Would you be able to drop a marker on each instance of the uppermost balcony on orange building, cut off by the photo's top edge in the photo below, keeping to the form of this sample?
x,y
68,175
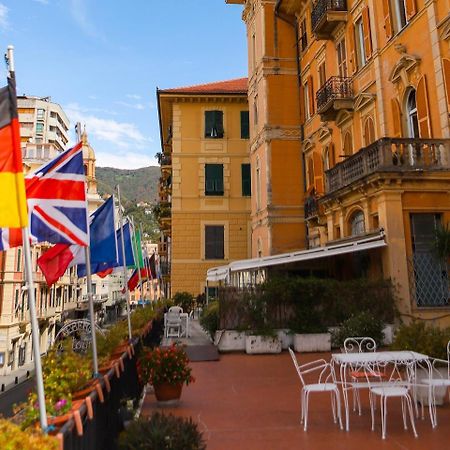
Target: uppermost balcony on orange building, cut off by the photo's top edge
x,y
326,16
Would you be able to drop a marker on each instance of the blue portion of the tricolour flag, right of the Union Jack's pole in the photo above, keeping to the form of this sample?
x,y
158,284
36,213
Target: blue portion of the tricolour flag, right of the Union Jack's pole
x,y
103,242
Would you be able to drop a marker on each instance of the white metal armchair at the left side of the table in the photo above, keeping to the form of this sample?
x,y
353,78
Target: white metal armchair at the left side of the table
x,y
325,382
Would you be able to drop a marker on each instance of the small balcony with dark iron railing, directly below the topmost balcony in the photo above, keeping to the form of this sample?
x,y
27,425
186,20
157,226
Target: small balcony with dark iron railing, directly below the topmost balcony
x,y
334,95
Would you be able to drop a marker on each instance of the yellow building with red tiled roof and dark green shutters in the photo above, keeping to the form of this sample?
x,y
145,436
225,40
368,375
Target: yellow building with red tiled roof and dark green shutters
x,y
205,186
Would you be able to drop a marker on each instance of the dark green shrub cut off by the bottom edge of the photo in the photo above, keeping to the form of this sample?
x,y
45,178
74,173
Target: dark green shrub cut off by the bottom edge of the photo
x,y
162,432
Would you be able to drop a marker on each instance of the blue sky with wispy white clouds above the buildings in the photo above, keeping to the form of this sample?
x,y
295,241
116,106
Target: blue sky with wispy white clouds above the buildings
x,y
102,60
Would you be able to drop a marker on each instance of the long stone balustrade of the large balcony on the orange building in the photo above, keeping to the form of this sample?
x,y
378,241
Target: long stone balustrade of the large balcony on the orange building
x,y
390,154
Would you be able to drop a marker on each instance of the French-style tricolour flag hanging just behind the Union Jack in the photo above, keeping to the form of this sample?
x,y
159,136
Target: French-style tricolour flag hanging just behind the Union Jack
x,y
103,248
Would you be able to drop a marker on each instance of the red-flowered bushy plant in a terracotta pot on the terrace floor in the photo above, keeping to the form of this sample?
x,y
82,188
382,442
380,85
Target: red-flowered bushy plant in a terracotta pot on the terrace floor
x,y
167,369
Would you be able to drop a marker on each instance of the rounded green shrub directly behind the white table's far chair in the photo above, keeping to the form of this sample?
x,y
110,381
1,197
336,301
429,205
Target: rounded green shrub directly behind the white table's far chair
x,y
364,324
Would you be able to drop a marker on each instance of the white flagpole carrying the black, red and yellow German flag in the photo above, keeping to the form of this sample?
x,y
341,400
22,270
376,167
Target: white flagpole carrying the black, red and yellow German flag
x,y
31,297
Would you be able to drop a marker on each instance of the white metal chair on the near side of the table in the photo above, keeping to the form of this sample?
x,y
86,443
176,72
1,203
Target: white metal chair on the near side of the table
x,y
391,385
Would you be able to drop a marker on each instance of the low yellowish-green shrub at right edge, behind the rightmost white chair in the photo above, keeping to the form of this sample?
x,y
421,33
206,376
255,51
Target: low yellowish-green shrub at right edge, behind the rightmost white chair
x,y
422,338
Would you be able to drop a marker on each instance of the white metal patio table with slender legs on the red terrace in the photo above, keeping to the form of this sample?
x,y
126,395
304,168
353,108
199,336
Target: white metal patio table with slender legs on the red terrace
x,y
349,360
